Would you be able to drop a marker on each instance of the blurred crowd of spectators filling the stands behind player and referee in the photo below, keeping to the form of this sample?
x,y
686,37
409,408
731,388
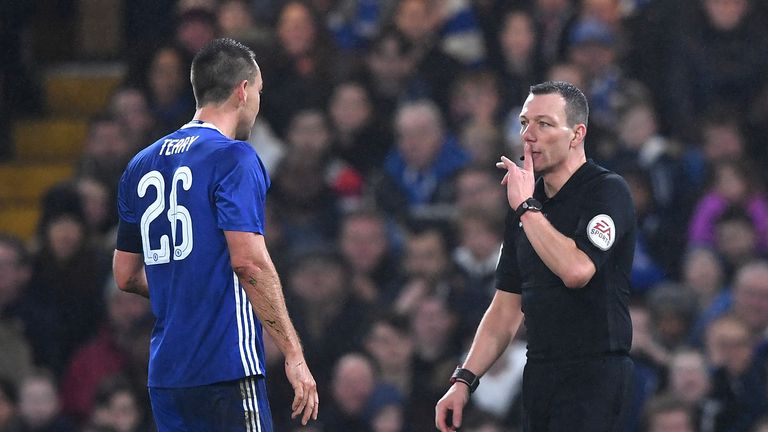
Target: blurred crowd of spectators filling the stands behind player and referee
x,y
380,125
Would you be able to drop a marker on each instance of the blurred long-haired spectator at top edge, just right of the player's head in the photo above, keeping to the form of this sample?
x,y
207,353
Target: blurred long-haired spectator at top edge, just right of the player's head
x,y
301,68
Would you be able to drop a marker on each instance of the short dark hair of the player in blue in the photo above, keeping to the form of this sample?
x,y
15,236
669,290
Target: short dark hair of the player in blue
x,y
219,67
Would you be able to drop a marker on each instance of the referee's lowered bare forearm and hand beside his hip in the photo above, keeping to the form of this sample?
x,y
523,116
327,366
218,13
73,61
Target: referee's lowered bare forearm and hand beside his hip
x,y
497,328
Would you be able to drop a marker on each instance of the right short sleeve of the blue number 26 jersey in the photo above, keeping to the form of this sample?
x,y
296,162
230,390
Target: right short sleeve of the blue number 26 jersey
x,y
241,189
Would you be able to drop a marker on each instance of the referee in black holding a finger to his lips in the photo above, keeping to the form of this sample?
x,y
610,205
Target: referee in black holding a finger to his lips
x,y
568,246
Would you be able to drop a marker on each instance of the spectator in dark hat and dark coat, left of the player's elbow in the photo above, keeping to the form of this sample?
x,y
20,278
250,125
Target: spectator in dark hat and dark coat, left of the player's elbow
x,y
68,277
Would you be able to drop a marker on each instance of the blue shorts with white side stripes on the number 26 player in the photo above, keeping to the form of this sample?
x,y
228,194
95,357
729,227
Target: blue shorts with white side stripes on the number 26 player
x,y
233,406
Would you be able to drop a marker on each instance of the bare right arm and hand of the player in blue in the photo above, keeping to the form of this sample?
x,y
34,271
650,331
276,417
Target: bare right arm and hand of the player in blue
x,y
258,276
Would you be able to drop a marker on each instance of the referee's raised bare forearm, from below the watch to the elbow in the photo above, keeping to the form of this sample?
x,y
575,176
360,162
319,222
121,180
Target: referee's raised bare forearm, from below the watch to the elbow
x,y
558,252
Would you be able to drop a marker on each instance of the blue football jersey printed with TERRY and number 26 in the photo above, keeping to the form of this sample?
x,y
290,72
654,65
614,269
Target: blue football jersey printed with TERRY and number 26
x,y
180,194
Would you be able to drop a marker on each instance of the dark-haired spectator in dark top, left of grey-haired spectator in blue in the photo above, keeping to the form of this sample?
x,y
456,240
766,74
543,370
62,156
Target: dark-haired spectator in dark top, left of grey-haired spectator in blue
x,y
359,138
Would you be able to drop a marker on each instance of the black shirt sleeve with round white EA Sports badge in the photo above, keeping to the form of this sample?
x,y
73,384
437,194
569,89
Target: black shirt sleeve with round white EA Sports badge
x,y
605,218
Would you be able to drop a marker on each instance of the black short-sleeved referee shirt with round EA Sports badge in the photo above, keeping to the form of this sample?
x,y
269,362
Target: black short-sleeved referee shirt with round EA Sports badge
x,y
595,209
